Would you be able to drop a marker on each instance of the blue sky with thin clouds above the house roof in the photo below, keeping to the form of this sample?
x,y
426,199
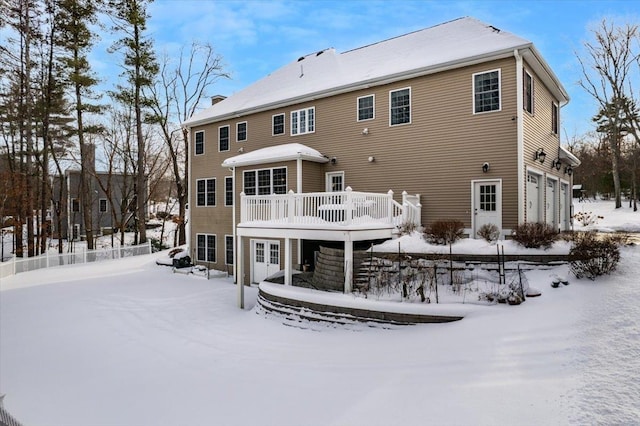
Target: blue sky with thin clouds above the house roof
x,y
258,37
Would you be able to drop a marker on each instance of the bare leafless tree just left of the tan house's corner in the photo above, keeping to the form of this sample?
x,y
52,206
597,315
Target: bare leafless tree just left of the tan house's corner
x,y
175,96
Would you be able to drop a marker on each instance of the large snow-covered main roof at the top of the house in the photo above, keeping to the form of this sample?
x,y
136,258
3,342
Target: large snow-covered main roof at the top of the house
x,y
449,45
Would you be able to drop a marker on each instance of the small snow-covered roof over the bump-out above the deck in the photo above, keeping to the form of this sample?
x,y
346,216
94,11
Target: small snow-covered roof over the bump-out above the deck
x,y
286,152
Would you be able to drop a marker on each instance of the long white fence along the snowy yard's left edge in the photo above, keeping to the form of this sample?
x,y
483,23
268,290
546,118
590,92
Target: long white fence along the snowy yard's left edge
x,y
47,260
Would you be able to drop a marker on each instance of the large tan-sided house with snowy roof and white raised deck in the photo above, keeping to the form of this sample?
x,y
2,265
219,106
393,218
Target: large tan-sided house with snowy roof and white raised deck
x,y
457,121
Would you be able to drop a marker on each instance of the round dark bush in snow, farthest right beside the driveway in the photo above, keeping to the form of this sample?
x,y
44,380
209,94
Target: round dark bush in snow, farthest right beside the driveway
x,y
591,256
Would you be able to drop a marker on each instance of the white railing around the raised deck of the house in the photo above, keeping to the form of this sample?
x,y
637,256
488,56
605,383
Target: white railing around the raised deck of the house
x,y
320,209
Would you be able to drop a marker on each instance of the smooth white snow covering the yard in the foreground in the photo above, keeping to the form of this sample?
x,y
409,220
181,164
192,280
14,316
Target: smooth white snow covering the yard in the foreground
x,y
128,343
